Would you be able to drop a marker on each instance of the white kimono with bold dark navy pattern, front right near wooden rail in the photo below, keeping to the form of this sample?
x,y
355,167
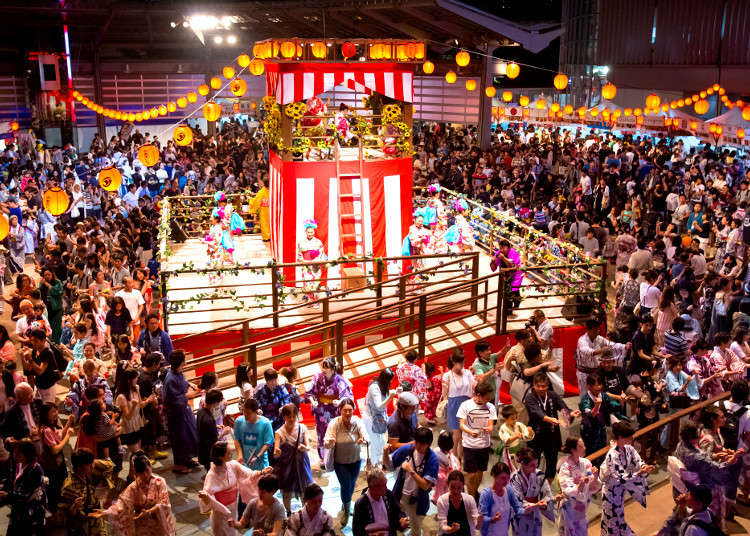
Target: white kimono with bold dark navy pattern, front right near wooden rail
x,y
618,474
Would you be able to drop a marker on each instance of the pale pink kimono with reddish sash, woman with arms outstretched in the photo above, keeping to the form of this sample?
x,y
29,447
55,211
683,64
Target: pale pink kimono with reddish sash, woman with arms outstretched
x,y
223,484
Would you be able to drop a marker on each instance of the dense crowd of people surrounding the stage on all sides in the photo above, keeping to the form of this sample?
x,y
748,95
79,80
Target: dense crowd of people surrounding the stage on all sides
x,y
430,441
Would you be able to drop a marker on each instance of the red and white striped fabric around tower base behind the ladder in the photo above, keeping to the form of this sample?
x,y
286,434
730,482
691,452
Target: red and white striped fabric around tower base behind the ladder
x,y
310,190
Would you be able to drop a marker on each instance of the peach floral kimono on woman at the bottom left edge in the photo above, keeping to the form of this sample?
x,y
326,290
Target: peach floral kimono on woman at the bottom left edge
x,y
121,515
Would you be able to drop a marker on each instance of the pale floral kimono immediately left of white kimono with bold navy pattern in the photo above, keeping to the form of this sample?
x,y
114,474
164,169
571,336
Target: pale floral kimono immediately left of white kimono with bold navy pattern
x,y
573,520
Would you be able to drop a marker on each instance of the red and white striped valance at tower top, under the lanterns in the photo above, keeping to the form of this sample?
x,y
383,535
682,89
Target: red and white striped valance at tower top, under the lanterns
x,y
301,81
